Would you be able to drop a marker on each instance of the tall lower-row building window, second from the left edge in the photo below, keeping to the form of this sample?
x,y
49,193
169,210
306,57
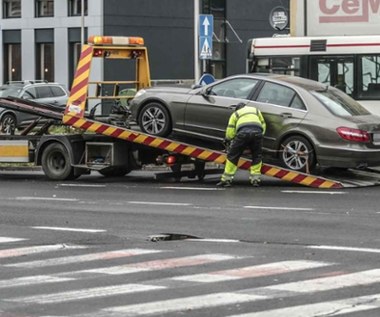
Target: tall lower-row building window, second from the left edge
x,y
45,61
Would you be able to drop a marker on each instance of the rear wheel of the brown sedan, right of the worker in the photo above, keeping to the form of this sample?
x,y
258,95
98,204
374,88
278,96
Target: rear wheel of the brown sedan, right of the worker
x,y
297,154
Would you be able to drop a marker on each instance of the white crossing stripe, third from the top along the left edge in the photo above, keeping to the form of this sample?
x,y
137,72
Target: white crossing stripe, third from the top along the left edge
x,y
82,258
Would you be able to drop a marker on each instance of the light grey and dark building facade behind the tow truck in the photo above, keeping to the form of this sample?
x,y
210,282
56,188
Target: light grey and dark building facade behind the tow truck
x,y
41,39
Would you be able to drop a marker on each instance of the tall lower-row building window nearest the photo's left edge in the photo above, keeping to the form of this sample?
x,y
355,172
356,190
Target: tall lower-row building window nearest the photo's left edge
x,y
12,62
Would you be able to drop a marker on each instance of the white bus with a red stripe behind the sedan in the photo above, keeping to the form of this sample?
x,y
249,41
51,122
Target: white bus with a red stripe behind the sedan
x,y
350,63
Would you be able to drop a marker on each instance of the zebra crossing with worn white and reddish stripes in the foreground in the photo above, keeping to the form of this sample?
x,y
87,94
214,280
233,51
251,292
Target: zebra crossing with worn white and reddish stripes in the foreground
x,y
114,283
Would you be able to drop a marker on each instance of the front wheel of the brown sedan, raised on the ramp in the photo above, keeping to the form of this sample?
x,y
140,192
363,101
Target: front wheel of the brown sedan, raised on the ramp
x,y
154,119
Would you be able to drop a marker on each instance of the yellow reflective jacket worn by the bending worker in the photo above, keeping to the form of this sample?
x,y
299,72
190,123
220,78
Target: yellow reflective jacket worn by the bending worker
x,y
246,116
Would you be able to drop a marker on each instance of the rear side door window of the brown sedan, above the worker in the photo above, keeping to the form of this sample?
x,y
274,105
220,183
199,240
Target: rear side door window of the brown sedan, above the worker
x,y
277,95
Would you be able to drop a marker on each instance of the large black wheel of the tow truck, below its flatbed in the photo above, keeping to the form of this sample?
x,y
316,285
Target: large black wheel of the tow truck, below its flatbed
x,y
56,162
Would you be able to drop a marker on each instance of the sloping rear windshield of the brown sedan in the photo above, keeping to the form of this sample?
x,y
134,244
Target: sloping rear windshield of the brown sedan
x,y
339,103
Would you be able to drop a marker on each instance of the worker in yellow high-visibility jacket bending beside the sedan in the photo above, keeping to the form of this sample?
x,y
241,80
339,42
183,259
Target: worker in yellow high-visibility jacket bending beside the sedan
x,y
245,129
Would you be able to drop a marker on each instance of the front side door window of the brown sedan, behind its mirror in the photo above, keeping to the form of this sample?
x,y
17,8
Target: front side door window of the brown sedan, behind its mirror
x,y
235,88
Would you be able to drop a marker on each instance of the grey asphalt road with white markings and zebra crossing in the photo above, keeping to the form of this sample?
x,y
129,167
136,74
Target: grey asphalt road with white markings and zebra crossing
x,y
133,246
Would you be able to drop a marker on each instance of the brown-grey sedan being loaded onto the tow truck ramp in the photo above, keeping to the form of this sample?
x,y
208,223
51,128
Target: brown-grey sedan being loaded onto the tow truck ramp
x,y
308,123
